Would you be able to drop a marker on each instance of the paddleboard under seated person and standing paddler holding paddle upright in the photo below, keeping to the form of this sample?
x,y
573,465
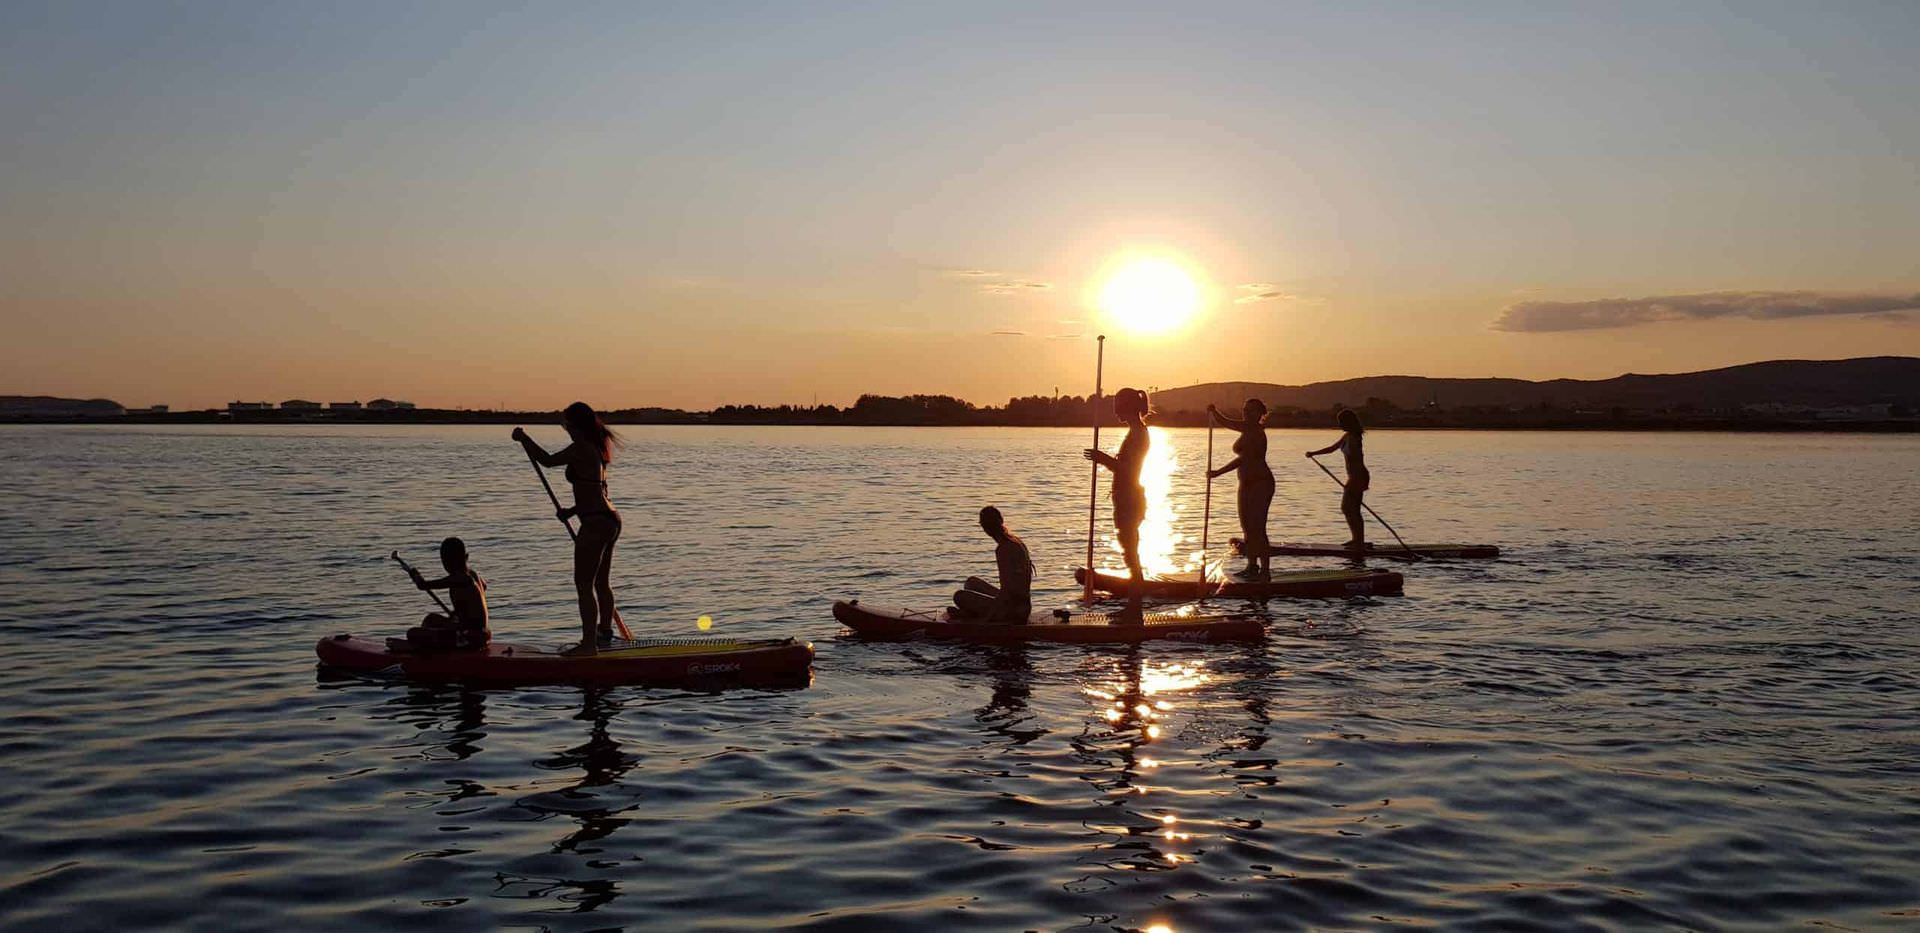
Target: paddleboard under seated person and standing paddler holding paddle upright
x,y
900,625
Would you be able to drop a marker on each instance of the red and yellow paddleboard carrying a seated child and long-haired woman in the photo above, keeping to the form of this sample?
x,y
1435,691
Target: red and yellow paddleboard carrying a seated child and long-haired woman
x,y
644,661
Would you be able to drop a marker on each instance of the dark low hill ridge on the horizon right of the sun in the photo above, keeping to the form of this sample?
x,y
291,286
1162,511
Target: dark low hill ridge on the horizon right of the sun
x,y
1788,383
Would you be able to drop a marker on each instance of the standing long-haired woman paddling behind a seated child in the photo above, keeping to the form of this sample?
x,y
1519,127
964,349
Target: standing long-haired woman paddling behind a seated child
x,y
600,523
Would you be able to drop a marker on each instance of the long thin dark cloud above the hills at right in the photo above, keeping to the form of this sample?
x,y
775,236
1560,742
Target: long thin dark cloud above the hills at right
x,y
1706,306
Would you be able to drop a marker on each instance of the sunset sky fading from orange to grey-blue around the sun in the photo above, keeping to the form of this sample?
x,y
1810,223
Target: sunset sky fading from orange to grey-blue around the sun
x,y
690,204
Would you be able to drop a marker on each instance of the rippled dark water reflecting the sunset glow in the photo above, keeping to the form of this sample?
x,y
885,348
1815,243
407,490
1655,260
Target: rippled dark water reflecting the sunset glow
x,y
1689,698
